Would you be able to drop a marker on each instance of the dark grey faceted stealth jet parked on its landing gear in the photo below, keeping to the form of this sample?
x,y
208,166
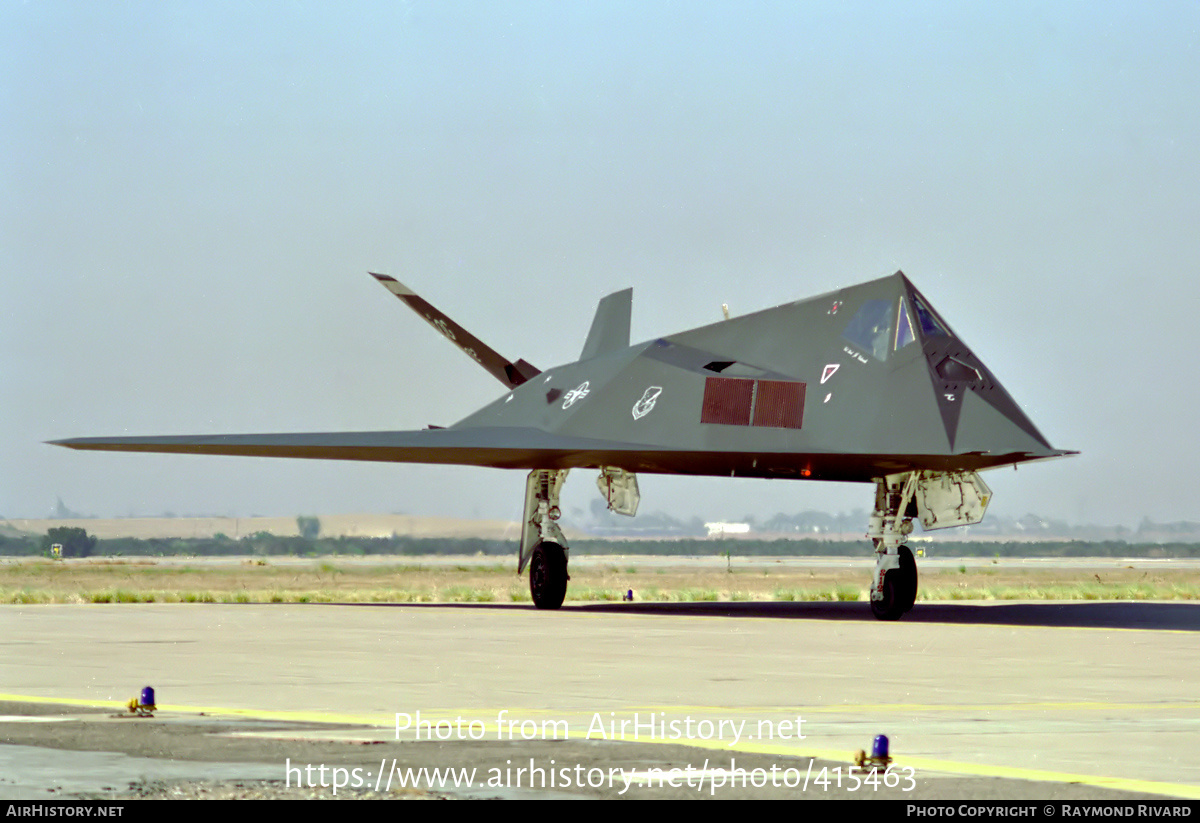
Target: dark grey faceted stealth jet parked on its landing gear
x,y
866,385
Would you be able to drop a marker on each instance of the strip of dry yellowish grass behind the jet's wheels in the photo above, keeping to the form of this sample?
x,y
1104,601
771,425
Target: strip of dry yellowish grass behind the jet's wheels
x,y
476,580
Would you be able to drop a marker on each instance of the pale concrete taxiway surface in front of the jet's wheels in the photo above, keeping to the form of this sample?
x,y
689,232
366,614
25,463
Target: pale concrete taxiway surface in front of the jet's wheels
x,y
977,699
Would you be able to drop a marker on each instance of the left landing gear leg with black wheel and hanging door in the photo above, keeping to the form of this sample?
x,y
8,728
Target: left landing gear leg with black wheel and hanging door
x,y
543,544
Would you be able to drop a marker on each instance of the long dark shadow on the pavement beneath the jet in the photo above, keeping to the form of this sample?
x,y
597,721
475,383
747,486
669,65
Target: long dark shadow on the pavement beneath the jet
x,y
1123,615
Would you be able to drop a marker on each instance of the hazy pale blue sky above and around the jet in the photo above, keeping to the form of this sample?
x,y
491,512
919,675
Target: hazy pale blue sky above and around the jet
x,y
193,194
